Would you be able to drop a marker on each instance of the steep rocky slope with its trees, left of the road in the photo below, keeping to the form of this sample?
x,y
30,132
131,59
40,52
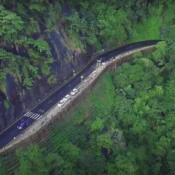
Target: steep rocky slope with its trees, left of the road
x,y
37,68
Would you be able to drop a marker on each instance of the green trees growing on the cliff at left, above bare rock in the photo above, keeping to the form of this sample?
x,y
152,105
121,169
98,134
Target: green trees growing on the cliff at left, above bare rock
x,y
16,38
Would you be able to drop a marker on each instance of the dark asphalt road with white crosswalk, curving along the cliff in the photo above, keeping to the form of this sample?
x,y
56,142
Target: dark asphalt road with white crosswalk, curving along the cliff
x,y
37,112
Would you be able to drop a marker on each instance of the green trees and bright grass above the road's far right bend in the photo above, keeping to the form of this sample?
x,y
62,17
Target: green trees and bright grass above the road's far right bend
x,y
119,22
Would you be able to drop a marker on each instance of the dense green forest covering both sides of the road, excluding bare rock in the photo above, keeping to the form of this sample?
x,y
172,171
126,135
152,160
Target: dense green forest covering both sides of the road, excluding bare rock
x,y
130,113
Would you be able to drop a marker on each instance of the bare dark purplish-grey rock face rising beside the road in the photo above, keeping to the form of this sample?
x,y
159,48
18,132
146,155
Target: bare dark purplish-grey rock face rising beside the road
x,y
68,60
